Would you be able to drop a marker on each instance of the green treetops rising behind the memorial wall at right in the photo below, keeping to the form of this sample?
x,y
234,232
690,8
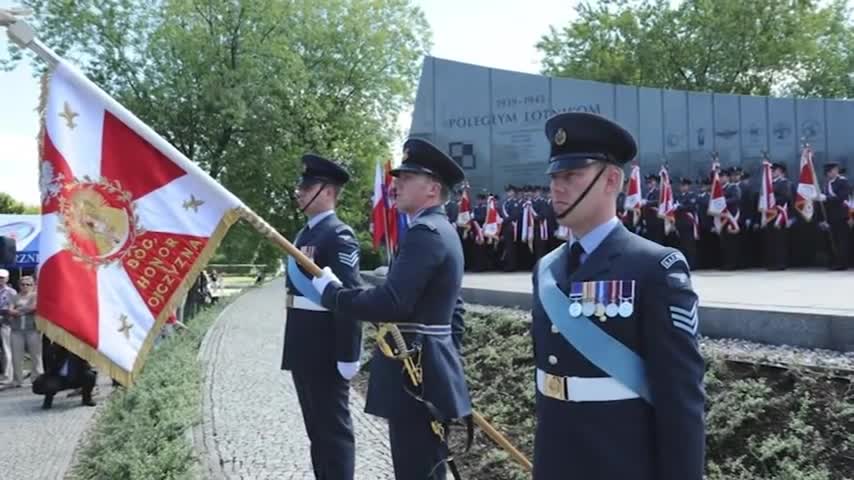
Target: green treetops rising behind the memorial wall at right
x,y
730,46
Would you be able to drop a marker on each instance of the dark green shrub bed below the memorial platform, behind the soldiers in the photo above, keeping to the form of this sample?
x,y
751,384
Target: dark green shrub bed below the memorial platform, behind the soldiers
x,y
761,424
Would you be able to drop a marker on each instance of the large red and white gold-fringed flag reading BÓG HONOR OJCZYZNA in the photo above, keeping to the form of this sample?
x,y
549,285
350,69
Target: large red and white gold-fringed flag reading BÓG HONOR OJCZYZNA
x,y
128,222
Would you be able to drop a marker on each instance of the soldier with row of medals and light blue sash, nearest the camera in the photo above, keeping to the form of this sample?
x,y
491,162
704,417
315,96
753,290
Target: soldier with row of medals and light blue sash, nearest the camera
x,y
618,369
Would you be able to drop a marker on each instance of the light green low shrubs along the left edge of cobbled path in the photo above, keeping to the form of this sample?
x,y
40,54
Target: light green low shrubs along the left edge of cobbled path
x,y
142,433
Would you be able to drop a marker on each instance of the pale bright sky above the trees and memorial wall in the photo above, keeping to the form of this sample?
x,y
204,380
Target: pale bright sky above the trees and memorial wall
x,y
493,33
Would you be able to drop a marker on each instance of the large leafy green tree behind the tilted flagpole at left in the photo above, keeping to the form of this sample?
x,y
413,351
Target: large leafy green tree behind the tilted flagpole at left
x,y
244,88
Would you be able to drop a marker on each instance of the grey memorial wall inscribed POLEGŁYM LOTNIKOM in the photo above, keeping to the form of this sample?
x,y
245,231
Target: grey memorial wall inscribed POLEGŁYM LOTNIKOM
x,y
491,121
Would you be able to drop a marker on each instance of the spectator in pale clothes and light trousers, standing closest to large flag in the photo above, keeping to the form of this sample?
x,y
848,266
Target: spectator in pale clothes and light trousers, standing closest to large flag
x,y
24,336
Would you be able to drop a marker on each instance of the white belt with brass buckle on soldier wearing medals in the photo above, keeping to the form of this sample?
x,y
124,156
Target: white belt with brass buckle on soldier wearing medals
x,y
582,389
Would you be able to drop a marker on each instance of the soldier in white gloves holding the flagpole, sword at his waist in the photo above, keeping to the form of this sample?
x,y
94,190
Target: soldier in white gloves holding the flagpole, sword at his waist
x,y
421,296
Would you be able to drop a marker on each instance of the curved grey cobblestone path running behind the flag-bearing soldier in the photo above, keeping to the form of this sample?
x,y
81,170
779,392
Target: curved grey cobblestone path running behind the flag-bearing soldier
x,y
252,426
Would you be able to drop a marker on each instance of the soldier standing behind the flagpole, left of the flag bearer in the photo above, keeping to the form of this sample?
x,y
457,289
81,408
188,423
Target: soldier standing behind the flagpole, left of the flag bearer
x,y
321,348
